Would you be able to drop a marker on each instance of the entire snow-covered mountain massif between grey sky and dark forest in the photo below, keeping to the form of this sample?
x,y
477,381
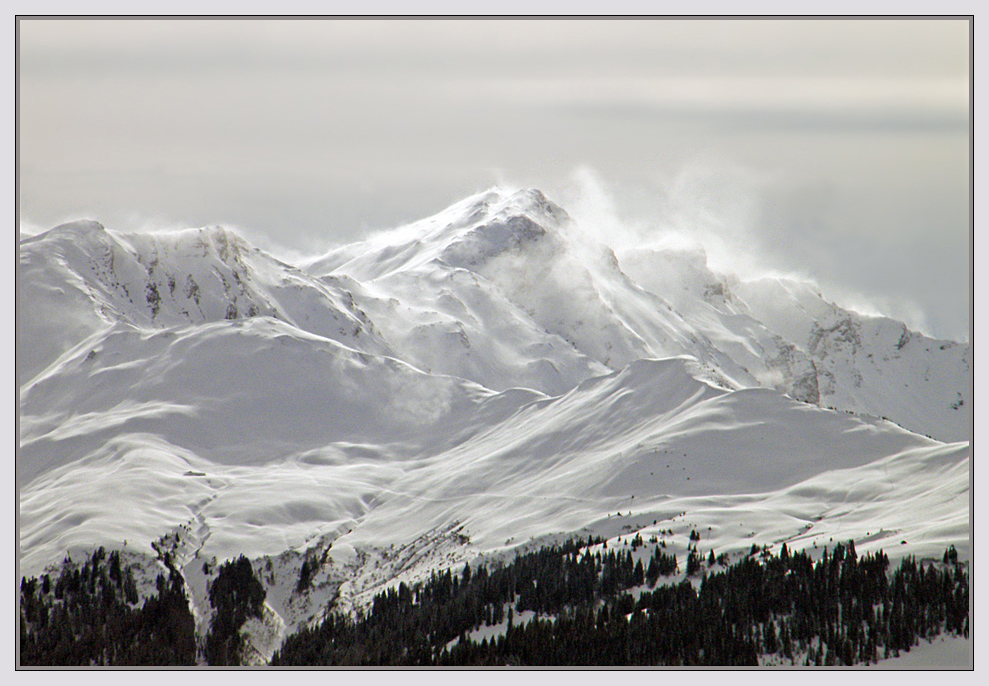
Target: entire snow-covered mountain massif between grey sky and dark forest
x,y
486,378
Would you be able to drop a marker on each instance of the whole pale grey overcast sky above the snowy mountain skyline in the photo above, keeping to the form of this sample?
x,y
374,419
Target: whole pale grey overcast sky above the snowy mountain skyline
x,y
837,150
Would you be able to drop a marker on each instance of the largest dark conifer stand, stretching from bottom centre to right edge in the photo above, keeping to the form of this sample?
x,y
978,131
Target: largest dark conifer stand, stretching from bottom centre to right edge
x,y
841,610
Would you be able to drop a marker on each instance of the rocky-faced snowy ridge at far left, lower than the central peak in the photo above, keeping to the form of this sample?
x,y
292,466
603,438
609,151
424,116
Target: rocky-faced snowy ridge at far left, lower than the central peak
x,y
79,278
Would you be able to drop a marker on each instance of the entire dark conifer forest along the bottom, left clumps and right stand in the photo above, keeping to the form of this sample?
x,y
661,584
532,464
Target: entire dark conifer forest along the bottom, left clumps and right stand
x,y
589,606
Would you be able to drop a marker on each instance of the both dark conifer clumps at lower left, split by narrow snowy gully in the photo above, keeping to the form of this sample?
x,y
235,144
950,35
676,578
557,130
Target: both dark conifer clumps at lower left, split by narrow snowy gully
x,y
90,616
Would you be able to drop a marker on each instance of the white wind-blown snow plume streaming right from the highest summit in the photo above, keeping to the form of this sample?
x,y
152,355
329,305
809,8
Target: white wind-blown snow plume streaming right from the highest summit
x,y
745,221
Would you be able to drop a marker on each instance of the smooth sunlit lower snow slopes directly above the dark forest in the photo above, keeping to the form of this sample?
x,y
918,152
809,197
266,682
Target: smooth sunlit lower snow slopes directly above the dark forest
x,y
677,451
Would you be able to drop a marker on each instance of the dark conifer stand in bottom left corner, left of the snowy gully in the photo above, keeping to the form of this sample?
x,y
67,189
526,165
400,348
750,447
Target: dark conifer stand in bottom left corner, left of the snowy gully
x,y
89,616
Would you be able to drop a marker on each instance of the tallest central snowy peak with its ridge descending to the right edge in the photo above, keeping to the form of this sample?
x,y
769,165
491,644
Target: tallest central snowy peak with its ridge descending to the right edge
x,y
643,303
